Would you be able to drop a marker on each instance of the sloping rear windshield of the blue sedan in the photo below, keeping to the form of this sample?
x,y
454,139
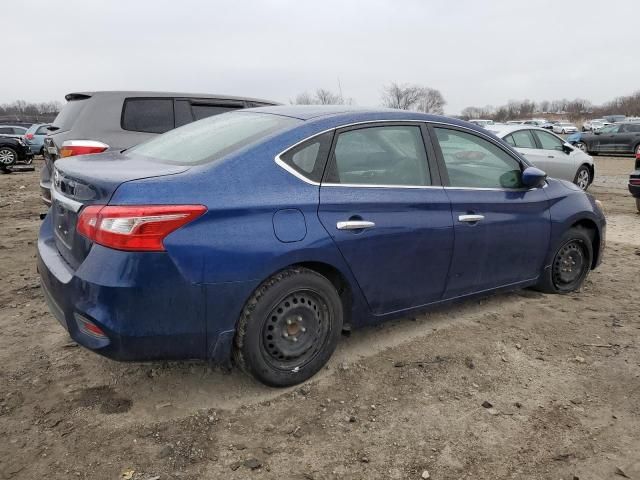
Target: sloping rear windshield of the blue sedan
x,y
213,137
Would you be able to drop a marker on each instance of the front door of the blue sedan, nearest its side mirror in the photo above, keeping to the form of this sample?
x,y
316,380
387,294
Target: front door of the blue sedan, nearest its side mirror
x,y
502,229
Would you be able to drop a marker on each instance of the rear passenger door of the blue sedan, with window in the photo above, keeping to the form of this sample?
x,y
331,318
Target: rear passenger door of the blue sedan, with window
x,y
382,203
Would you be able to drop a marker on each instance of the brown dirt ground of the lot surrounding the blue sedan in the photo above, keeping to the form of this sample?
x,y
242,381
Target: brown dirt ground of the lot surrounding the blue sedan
x,y
562,374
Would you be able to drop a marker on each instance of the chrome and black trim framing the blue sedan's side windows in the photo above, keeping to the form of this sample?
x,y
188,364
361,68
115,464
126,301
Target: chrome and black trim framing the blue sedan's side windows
x,y
439,178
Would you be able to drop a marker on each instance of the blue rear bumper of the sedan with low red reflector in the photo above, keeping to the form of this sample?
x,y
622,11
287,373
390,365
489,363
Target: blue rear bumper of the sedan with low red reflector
x,y
141,302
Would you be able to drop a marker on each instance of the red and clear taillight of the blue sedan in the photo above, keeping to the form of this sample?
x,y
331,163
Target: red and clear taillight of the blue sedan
x,y
134,228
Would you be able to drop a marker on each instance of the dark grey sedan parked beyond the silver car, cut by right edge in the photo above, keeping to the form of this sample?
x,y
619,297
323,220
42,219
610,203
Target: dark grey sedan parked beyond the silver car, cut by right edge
x,y
616,138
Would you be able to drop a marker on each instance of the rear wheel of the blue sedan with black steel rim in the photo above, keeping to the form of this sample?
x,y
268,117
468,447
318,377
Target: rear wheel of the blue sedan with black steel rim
x,y
289,328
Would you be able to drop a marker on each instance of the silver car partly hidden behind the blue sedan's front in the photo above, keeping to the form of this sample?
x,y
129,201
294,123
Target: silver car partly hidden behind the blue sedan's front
x,y
549,152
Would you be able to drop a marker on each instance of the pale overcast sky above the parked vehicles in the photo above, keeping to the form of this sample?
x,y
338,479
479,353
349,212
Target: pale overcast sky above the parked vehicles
x,y
474,52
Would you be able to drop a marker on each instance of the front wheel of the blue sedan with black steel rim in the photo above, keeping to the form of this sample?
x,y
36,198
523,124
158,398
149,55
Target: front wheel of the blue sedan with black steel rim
x,y
570,264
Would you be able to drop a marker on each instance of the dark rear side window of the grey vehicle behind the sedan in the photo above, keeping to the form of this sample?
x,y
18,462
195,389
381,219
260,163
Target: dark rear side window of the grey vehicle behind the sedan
x,y
151,115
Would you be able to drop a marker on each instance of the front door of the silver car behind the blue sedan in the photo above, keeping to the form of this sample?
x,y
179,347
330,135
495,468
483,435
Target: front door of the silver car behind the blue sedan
x,y
559,159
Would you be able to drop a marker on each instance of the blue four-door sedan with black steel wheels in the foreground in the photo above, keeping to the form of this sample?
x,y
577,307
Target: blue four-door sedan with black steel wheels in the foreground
x,y
257,236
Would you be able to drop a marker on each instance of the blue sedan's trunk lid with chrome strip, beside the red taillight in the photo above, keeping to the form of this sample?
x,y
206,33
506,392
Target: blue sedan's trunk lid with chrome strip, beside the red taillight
x,y
92,179
